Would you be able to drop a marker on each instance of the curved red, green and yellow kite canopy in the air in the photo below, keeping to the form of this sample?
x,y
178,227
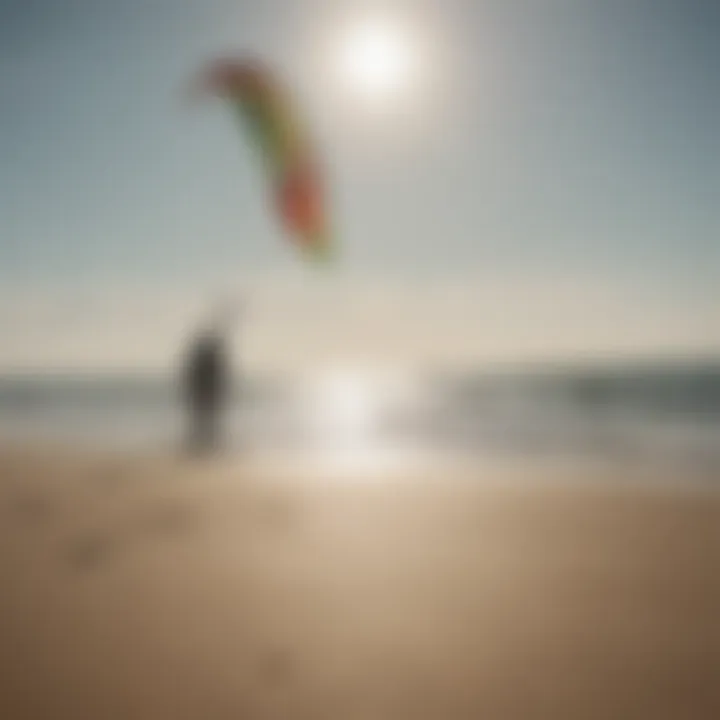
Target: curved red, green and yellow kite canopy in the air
x,y
266,111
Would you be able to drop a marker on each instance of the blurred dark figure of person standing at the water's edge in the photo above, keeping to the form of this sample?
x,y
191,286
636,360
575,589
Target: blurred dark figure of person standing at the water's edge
x,y
206,378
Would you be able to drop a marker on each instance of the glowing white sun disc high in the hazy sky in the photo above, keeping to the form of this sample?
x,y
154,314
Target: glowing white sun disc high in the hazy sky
x,y
376,60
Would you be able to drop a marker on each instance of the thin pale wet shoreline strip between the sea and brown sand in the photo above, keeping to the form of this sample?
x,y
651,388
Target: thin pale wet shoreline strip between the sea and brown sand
x,y
323,467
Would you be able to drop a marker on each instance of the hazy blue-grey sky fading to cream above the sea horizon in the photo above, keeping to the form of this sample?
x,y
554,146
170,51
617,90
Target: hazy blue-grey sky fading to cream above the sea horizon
x,y
547,186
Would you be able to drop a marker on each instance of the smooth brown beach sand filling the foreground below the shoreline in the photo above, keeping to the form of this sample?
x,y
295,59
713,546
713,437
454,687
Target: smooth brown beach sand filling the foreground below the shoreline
x,y
152,588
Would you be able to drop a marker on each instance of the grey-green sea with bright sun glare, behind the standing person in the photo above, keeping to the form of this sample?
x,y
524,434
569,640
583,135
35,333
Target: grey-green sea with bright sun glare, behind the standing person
x,y
666,413
